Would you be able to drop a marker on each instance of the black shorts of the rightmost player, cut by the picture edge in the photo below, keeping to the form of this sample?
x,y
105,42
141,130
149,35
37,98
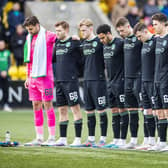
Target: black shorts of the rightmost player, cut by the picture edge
x,y
161,95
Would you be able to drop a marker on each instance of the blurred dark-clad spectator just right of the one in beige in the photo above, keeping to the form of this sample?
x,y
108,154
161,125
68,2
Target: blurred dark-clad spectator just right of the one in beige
x,y
133,16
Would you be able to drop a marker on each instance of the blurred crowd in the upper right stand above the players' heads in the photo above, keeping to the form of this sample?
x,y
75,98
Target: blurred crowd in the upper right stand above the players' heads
x,y
134,10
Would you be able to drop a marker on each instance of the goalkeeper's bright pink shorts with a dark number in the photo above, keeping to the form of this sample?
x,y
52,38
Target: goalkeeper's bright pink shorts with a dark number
x,y
41,89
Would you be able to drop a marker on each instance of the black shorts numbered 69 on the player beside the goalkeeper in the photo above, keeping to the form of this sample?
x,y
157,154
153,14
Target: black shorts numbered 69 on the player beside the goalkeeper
x,y
67,93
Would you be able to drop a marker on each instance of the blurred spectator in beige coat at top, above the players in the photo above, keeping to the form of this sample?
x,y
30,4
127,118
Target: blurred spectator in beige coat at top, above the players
x,y
120,9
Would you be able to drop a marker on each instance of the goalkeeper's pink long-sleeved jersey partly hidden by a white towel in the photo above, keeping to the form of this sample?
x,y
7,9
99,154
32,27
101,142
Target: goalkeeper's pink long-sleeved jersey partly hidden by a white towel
x,y
50,40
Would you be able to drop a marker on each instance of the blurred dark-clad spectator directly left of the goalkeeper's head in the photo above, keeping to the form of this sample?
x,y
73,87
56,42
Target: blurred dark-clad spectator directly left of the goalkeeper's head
x,y
17,44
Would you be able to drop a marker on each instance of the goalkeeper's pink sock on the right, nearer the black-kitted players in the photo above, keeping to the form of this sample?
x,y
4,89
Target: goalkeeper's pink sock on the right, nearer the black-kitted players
x,y
51,121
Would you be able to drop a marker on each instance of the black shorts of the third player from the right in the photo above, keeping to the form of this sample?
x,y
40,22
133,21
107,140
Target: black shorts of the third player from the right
x,y
132,90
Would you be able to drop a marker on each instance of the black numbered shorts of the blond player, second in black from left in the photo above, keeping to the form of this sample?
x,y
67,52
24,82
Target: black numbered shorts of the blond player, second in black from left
x,y
95,95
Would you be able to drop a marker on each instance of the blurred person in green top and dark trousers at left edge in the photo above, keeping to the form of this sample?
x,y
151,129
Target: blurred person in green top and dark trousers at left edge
x,y
4,66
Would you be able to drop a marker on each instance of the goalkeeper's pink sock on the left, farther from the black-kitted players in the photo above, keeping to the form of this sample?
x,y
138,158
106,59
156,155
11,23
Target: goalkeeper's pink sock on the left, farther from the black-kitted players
x,y
38,119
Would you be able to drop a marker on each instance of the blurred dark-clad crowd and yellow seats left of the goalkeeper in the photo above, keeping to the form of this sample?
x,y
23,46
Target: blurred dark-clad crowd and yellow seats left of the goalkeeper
x,y
12,36
